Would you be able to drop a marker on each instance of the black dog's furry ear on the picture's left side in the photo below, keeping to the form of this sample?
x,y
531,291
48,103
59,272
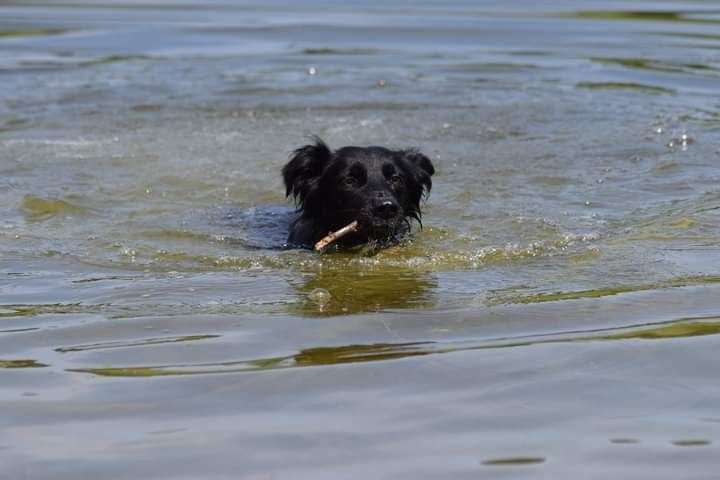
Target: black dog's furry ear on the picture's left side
x,y
304,168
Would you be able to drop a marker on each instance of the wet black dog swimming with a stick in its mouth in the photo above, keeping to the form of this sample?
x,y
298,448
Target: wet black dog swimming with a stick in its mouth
x,y
379,188
